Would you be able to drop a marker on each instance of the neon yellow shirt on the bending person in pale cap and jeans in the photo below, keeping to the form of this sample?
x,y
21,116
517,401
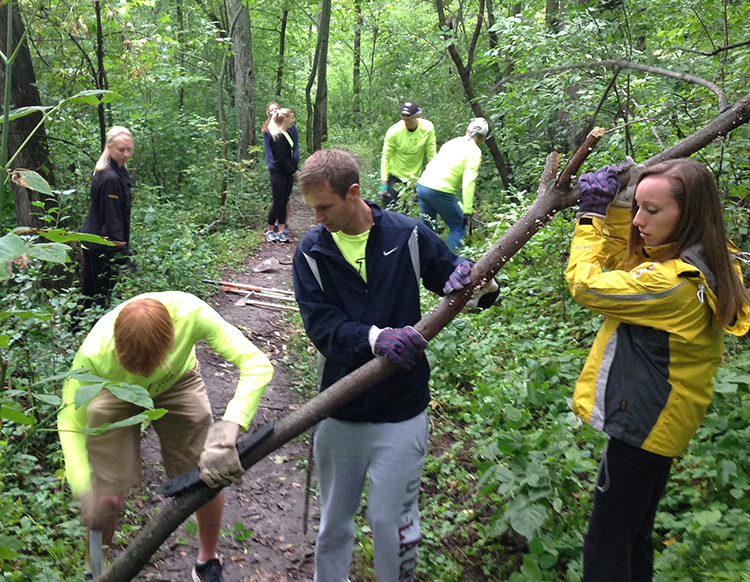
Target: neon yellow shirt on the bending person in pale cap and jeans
x,y
457,164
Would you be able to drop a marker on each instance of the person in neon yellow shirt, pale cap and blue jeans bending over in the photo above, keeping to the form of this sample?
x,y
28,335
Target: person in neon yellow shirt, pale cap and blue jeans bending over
x,y
457,164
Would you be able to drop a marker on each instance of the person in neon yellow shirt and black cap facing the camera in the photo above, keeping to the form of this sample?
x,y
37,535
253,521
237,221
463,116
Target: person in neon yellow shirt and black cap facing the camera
x,y
406,145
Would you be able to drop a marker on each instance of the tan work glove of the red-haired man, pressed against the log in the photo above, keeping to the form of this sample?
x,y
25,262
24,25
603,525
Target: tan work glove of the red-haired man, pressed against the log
x,y
220,464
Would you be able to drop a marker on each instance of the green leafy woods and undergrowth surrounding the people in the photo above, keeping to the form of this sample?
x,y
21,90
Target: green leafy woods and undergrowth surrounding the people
x,y
509,478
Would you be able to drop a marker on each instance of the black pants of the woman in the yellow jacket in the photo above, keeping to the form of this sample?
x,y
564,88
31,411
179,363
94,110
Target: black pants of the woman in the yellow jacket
x,y
618,546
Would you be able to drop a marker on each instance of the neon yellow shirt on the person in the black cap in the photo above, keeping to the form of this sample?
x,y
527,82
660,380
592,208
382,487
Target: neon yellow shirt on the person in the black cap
x,y
404,151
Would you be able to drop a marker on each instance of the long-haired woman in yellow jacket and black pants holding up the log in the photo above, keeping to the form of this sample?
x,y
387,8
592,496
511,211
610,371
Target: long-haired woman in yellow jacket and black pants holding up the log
x,y
661,271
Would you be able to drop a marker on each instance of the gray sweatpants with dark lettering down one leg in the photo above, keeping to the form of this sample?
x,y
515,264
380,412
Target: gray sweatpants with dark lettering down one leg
x,y
393,455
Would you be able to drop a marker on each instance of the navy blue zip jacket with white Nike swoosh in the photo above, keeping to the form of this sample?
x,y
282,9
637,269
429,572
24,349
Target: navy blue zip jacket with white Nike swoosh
x,y
338,307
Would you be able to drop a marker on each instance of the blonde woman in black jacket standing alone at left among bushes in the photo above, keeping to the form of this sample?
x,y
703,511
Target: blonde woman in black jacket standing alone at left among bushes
x,y
109,216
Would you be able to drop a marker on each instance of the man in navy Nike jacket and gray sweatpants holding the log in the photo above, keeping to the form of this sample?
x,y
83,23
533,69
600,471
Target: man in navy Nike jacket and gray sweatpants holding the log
x,y
357,281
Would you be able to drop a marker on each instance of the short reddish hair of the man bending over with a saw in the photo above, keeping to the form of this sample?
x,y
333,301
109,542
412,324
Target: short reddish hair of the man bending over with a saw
x,y
144,335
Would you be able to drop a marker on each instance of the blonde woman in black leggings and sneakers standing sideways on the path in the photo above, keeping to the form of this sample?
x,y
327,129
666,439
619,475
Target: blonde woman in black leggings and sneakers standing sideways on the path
x,y
282,171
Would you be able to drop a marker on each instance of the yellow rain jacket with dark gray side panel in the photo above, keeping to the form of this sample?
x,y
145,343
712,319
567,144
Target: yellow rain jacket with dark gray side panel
x,y
648,380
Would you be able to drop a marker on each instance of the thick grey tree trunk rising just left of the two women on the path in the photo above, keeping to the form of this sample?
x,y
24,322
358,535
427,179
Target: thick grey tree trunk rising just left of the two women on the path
x,y
244,76
